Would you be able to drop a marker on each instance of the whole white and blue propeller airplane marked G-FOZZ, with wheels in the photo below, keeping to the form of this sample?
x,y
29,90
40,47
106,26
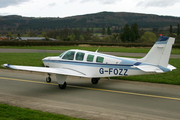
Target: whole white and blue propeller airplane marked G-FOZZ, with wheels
x,y
96,65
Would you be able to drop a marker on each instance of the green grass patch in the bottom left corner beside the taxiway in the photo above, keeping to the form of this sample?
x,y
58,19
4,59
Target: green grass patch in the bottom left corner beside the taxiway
x,y
8,112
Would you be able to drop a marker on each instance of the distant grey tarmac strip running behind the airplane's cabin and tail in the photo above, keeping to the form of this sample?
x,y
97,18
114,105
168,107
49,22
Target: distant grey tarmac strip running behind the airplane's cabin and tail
x,y
61,51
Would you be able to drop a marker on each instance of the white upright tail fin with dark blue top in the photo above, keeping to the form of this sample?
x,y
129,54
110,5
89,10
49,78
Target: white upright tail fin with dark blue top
x,y
160,52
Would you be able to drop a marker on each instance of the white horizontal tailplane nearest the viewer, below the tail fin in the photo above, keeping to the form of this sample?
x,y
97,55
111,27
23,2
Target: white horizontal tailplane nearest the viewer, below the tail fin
x,y
149,68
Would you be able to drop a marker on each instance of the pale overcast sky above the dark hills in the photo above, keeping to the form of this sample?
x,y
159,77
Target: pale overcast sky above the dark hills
x,y
65,8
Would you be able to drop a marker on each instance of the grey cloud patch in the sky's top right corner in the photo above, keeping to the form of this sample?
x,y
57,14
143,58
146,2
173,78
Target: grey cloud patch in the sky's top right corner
x,y
157,3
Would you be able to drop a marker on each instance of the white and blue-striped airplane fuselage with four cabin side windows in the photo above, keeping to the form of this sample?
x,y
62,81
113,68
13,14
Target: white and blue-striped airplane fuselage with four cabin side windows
x,y
94,64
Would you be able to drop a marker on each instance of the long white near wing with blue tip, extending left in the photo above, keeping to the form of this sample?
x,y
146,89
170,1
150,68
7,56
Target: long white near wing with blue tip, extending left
x,y
62,71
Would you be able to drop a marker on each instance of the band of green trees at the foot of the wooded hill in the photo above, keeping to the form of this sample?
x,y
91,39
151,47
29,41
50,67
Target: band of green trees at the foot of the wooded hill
x,y
126,34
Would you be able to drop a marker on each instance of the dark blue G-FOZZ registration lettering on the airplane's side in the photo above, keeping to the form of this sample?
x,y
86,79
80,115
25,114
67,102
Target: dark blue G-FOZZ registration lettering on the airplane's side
x,y
114,71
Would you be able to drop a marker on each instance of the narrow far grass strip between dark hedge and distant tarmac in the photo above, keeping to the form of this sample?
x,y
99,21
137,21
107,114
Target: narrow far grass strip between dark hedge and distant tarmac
x,y
92,48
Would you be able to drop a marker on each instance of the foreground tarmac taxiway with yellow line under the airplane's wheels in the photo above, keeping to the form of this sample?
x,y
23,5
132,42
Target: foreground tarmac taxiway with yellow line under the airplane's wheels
x,y
112,100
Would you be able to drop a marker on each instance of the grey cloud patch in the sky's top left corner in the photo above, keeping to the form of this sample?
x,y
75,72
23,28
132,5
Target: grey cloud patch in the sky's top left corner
x,y
6,3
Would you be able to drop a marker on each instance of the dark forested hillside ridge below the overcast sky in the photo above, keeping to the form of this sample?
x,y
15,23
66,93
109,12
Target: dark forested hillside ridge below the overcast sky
x,y
96,20
